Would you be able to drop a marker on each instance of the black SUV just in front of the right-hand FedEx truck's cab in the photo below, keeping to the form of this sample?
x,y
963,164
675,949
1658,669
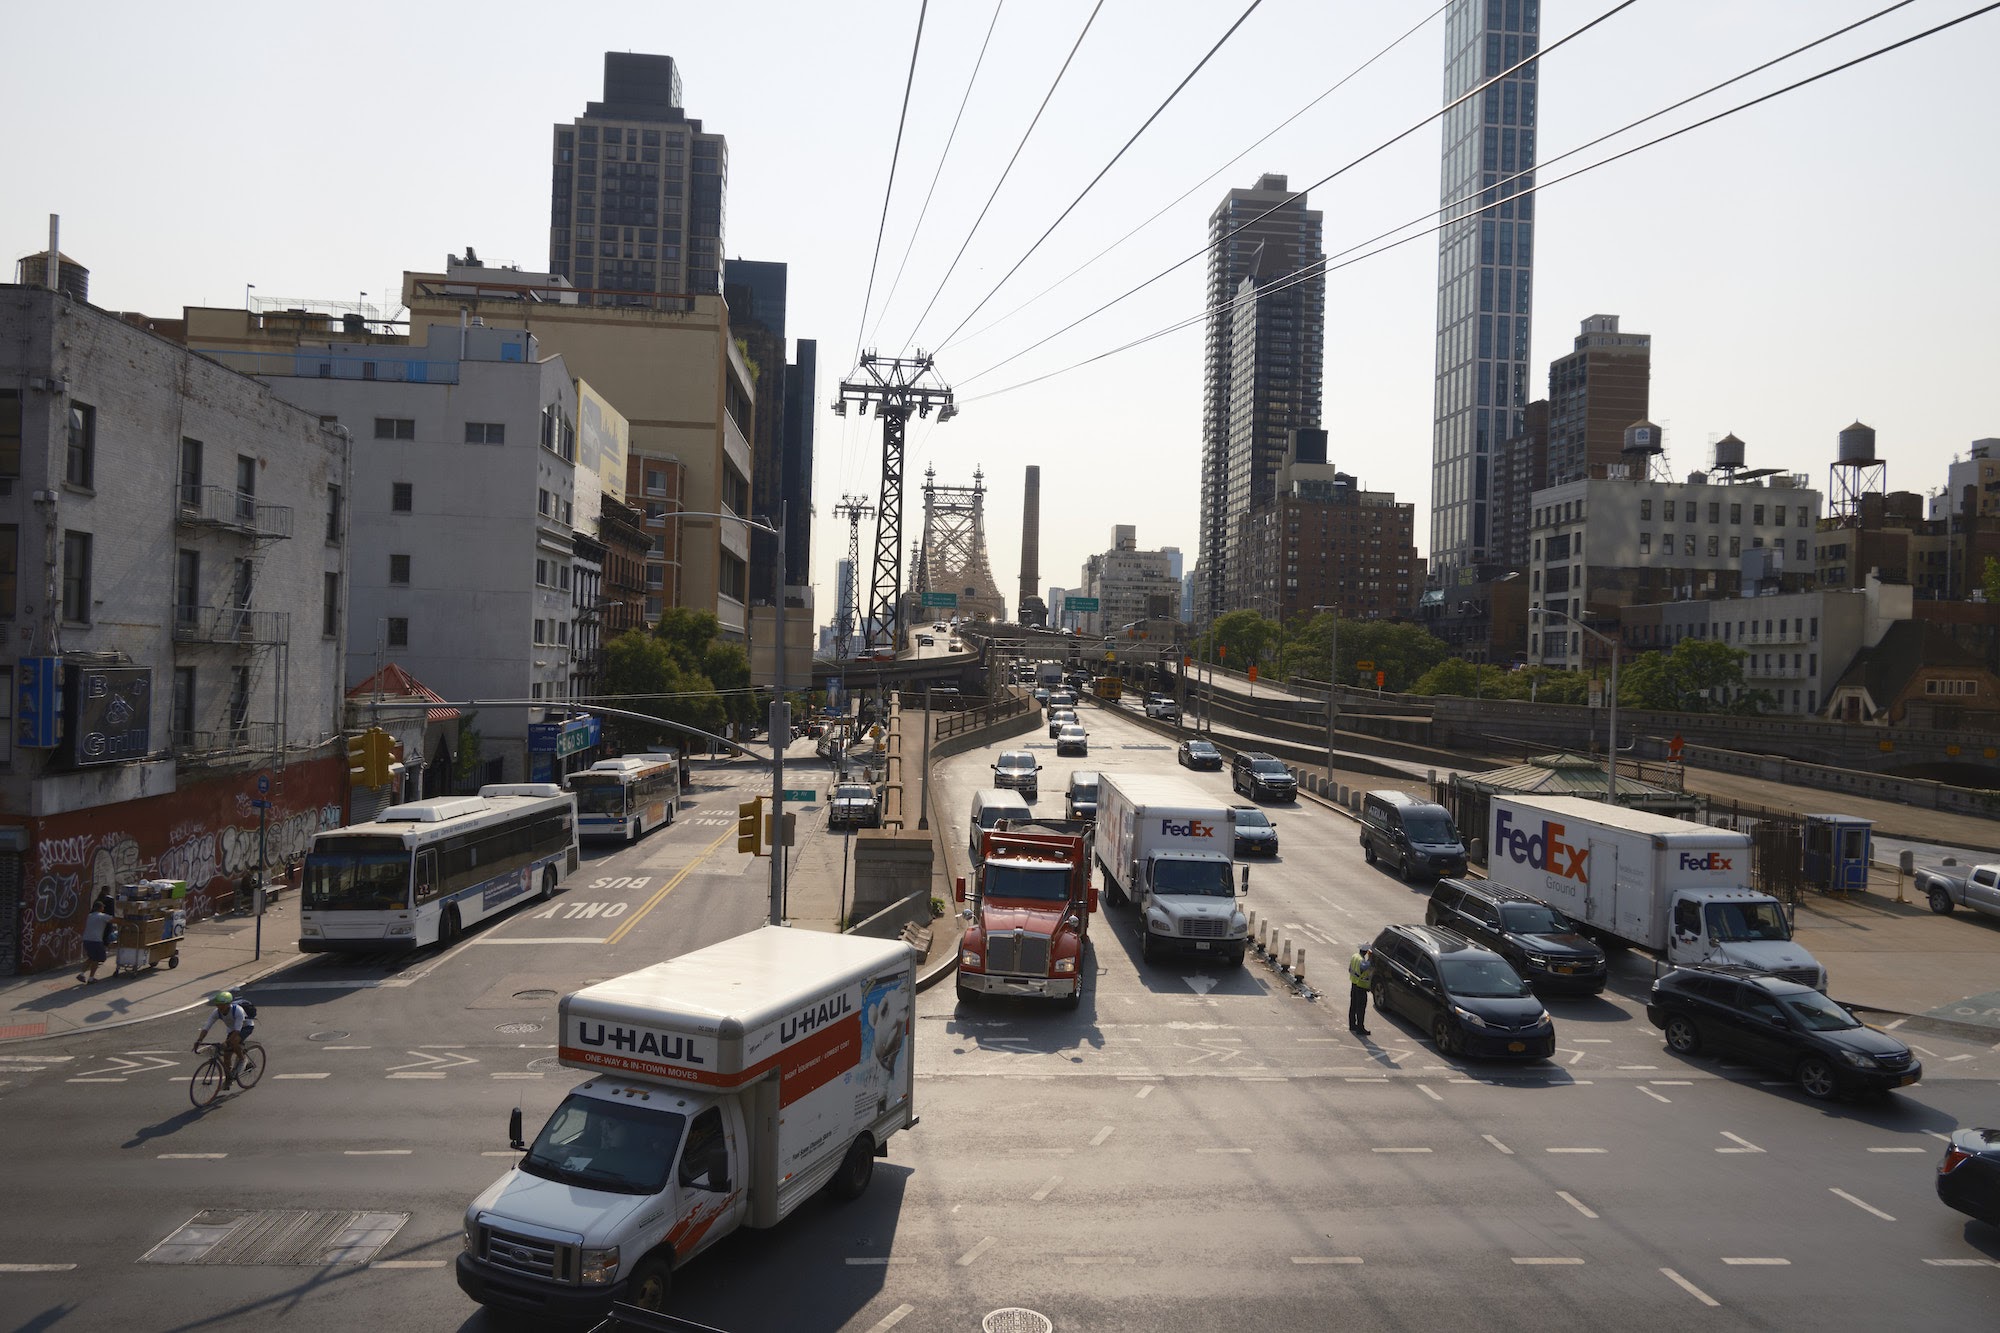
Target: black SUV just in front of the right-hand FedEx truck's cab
x,y
1781,1024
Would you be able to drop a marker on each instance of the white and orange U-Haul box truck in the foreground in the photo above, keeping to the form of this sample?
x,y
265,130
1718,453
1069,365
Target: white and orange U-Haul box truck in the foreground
x,y
727,1088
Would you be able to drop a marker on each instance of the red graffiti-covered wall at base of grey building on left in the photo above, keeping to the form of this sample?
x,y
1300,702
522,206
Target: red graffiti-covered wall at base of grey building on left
x,y
205,834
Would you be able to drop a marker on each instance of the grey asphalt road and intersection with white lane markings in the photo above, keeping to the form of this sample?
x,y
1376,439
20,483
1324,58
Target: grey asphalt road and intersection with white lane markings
x,y
1195,1148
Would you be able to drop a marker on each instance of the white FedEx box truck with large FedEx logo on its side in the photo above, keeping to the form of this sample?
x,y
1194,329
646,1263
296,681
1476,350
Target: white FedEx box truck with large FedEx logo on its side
x,y
1645,880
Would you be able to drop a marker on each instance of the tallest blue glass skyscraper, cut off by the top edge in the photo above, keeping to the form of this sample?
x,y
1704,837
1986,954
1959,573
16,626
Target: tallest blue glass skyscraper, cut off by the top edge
x,y
1485,271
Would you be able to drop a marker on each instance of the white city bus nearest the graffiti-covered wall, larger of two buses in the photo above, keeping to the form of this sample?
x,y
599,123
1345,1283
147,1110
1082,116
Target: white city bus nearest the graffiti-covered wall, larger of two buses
x,y
421,874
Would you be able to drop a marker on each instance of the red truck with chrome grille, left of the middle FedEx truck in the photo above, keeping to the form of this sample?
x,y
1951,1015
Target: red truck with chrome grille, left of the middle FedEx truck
x,y
1029,918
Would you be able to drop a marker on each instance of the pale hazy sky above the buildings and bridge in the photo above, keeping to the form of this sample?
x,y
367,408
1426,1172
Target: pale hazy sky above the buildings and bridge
x,y
1817,259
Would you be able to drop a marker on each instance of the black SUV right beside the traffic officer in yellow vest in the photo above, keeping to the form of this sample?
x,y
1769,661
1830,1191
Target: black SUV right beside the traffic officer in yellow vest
x,y
1467,998
